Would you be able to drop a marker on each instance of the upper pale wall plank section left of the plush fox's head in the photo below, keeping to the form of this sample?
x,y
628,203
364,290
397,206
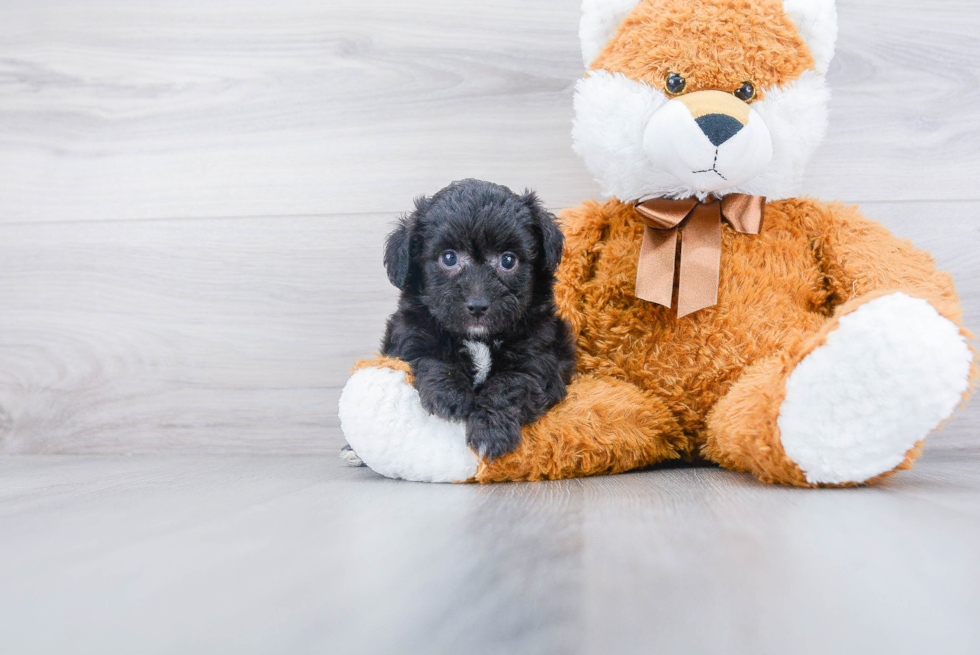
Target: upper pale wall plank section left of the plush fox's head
x,y
110,110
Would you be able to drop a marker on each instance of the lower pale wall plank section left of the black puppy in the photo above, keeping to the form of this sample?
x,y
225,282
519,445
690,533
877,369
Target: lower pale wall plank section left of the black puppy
x,y
216,335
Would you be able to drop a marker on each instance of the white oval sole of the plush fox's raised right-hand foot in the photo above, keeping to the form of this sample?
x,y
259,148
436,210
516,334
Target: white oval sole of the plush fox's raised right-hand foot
x,y
891,373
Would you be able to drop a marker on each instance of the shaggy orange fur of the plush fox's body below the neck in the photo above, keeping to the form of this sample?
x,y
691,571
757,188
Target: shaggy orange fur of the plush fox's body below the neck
x,y
714,380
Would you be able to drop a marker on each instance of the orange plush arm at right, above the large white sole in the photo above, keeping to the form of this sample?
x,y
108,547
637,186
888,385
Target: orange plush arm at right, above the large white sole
x,y
860,257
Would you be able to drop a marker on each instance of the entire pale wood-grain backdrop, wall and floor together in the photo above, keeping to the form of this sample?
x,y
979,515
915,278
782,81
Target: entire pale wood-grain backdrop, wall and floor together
x,y
193,200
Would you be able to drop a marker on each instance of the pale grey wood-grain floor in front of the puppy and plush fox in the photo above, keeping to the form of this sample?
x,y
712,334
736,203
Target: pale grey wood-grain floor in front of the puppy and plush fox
x,y
279,554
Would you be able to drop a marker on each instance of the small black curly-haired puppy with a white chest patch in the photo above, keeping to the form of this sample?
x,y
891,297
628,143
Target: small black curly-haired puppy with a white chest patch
x,y
476,319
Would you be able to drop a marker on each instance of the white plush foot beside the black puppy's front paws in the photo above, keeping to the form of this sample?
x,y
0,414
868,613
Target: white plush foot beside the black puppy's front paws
x,y
383,421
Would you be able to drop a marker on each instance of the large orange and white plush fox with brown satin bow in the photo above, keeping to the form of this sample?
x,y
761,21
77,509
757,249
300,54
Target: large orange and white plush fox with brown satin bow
x,y
719,316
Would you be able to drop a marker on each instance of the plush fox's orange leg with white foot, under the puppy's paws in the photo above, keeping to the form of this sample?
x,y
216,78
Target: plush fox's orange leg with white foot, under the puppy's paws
x,y
602,426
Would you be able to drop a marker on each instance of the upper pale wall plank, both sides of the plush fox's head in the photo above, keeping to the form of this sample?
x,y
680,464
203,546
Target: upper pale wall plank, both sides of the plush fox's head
x,y
162,109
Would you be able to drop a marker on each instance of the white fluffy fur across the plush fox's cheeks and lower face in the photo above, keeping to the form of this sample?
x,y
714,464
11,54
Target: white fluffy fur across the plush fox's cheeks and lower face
x,y
614,113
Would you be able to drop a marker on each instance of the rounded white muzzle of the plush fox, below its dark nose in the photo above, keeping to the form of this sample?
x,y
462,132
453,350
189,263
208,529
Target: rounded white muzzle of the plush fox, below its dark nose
x,y
674,142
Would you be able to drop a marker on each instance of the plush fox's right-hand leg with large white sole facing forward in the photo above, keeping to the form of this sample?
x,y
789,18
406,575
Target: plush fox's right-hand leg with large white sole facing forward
x,y
847,405
